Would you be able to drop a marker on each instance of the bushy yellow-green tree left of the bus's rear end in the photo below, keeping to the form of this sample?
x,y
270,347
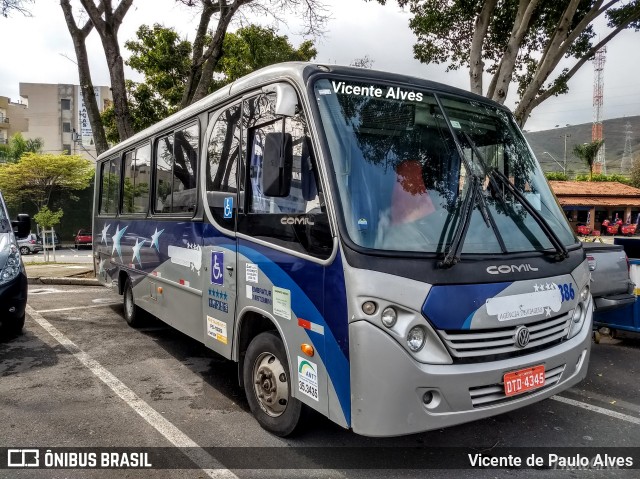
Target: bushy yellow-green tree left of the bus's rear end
x,y
37,176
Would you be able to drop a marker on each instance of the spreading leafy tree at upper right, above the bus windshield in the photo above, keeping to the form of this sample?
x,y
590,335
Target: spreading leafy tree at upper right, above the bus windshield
x,y
521,41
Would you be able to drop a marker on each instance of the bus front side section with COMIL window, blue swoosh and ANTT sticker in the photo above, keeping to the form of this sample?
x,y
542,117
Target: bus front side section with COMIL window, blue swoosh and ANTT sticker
x,y
284,240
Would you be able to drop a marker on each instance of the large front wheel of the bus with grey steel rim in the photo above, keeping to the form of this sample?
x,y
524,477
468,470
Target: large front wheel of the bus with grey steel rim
x,y
265,366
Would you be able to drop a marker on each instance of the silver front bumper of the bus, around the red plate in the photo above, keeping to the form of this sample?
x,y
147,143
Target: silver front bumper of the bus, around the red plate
x,y
388,386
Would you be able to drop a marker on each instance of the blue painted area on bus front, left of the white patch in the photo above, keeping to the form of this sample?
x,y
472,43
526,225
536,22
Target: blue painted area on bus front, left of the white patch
x,y
453,306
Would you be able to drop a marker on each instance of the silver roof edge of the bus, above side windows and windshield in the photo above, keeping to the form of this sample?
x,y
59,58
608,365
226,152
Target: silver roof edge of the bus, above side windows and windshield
x,y
297,71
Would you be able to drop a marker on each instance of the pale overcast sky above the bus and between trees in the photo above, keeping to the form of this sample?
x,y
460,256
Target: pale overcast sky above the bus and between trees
x,y
39,50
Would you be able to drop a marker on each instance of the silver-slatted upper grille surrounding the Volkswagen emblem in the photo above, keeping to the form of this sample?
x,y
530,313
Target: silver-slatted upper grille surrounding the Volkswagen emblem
x,y
471,346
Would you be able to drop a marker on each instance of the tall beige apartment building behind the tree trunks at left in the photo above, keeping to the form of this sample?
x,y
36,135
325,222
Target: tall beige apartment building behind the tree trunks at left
x,y
57,114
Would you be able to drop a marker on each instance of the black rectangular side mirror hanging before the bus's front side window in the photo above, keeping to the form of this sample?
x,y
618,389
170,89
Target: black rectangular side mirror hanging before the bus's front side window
x,y
277,165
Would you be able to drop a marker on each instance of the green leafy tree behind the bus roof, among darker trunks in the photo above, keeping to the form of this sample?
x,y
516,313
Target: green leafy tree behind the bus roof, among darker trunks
x,y
165,61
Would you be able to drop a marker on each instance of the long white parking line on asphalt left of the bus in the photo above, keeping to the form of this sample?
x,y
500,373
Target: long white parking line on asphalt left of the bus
x,y
175,436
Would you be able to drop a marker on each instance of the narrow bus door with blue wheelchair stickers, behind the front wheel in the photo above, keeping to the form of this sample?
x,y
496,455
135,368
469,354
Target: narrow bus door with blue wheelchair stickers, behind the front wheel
x,y
221,156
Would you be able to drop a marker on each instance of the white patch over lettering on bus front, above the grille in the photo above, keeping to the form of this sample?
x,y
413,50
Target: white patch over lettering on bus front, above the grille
x,y
546,298
